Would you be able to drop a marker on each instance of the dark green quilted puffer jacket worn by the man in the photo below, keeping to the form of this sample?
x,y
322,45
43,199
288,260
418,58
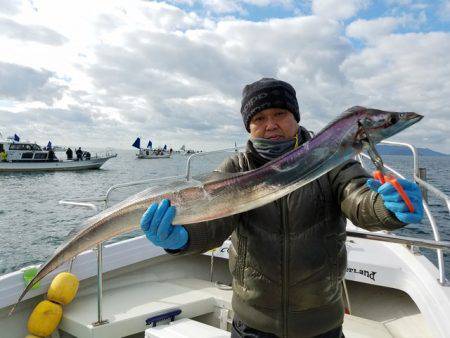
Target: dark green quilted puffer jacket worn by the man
x,y
288,257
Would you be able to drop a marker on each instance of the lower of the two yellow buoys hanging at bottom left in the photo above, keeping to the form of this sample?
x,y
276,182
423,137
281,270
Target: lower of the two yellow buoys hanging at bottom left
x,y
45,318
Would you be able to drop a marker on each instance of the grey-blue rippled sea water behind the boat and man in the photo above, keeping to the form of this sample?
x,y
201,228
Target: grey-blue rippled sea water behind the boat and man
x,y
33,223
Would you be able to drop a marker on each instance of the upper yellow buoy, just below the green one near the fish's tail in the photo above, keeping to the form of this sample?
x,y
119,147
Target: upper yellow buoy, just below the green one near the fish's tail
x,y
63,288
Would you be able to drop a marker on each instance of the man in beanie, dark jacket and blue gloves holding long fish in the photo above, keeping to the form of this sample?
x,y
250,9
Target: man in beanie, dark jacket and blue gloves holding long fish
x,y
288,257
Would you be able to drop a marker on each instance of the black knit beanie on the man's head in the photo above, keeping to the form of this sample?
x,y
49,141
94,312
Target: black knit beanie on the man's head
x,y
268,93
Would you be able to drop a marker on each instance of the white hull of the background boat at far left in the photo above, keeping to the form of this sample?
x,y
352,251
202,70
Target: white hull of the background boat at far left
x,y
93,163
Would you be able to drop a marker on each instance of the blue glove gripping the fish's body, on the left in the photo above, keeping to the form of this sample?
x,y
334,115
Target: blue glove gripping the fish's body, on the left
x,y
157,226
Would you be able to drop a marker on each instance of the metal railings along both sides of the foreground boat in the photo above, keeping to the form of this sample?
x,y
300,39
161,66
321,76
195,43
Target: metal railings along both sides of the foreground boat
x,y
411,242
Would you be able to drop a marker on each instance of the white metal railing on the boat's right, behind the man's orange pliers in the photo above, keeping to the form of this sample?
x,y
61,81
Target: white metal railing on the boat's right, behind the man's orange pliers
x,y
427,187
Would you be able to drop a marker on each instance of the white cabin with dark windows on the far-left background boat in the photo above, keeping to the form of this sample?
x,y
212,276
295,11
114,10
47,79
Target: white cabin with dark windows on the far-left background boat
x,y
24,152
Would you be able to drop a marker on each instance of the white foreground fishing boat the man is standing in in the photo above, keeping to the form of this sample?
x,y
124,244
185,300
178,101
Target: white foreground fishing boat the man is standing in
x,y
134,289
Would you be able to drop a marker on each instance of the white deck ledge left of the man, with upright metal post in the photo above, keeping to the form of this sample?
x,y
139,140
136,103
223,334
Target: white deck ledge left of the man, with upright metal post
x,y
127,308
